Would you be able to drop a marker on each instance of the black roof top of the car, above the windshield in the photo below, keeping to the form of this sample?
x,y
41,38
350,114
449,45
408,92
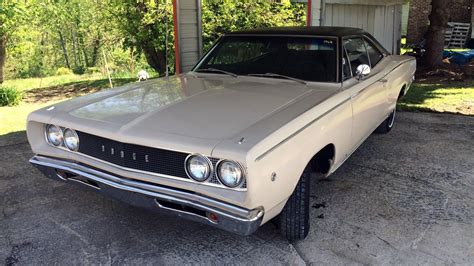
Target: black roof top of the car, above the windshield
x,y
309,30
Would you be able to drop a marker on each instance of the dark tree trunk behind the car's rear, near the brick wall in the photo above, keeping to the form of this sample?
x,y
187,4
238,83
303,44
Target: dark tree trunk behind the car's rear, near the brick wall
x,y
435,36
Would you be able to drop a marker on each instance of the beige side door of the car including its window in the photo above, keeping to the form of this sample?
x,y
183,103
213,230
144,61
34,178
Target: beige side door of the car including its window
x,y
368,94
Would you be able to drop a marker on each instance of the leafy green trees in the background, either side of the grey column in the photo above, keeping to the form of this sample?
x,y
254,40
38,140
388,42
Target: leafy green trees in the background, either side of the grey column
x,y
81,35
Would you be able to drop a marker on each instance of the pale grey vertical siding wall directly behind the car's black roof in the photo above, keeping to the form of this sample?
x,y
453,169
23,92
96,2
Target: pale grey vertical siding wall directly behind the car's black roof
x,y
383,22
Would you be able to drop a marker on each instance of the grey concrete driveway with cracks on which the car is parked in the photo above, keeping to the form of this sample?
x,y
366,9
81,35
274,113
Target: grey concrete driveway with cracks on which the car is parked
x,y
402,198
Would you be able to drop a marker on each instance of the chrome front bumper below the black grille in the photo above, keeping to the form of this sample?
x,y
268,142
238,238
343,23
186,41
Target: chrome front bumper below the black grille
x,y
167,200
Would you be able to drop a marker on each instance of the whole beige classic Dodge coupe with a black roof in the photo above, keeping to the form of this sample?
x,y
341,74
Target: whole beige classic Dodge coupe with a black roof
x,y
234,142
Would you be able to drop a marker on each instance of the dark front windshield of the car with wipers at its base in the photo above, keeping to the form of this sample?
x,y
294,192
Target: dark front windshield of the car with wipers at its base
x,y
304,58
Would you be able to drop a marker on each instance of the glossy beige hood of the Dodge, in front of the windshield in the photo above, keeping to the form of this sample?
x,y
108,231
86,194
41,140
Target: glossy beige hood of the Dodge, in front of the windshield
x,y
209,107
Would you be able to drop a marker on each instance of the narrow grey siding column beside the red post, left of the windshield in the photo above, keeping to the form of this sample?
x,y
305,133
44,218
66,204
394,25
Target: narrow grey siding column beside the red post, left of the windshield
x,y
189,33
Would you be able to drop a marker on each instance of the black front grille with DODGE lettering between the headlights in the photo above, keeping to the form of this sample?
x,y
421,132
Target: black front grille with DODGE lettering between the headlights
x,y
138,157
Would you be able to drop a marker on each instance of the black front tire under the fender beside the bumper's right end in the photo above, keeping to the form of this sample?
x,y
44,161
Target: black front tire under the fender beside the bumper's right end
x,y
294,219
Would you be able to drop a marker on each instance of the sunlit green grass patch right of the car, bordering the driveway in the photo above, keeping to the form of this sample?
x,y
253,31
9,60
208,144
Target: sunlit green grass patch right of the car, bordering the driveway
x,y
451,98
